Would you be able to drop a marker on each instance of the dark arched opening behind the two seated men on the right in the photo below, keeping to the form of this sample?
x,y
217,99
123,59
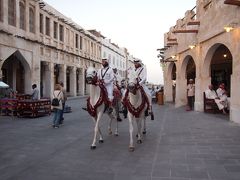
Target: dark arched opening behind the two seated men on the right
x,y
221,67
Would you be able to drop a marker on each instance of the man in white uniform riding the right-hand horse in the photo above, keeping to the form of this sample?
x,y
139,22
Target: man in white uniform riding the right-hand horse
x,y
141,73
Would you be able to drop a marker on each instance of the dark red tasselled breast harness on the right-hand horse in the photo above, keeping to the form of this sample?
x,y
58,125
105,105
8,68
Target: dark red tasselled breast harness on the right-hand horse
x,y
136,111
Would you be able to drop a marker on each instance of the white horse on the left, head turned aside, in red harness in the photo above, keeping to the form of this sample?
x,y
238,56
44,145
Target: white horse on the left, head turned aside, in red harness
x,y
96,105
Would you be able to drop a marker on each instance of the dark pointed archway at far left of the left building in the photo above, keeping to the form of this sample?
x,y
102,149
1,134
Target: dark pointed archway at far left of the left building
x,y
16,72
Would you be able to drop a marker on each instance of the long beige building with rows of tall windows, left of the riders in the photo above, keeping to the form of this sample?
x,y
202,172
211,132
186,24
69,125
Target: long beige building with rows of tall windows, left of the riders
x,y
40,45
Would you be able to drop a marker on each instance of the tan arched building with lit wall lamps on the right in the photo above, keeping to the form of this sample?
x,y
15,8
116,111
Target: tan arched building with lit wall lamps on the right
x,y
204,46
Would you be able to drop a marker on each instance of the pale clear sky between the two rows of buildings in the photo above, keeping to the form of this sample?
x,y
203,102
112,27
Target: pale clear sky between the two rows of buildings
x,y
138,25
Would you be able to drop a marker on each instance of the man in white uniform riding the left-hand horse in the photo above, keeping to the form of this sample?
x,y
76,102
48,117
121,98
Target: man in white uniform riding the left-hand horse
x,y
106,76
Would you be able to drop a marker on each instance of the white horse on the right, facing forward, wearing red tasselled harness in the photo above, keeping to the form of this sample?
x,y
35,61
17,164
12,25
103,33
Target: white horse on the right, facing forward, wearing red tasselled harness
x,y
136,104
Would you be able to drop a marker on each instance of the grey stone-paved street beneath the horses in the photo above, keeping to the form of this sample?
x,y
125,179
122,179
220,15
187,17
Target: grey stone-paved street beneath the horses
x,y
179,145
